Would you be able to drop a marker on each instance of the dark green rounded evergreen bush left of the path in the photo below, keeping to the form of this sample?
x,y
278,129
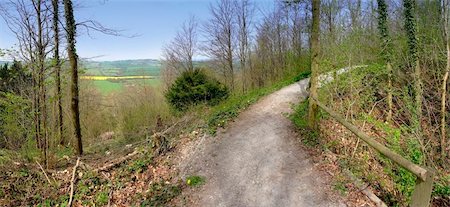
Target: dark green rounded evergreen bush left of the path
x,y
194,87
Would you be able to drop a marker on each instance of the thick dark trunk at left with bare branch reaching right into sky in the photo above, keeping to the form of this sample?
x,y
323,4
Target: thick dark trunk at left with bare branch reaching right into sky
x,y
73,59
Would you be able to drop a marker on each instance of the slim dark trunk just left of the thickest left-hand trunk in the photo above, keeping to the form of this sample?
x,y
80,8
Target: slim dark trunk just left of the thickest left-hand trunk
x,y
57,65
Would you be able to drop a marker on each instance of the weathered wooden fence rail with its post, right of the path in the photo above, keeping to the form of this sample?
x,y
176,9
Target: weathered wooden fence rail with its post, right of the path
x,y
424,184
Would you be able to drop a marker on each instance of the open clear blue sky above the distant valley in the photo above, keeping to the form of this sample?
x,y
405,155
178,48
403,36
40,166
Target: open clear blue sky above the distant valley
x,y
154,21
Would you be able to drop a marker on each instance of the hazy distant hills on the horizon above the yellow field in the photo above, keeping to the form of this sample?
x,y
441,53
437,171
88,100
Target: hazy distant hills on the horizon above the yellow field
x,y
122,67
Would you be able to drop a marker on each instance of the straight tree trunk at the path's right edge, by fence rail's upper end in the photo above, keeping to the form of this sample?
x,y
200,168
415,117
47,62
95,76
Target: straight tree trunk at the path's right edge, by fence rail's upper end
x,y
312,112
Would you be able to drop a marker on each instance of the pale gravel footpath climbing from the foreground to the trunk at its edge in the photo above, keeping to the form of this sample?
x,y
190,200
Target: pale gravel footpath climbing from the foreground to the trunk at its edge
x,y
257,161
